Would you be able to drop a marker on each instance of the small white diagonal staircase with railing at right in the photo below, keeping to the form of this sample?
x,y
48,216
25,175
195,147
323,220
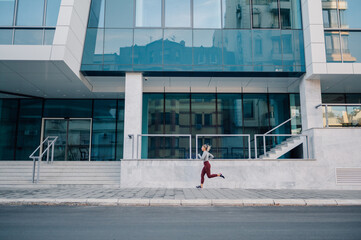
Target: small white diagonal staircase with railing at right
x,y
283,148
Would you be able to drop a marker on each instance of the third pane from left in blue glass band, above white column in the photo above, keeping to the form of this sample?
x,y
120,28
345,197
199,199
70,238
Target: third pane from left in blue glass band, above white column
x,y
148,46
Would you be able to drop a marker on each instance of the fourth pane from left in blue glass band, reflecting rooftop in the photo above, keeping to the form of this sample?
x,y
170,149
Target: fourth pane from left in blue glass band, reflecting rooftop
x,y
178,46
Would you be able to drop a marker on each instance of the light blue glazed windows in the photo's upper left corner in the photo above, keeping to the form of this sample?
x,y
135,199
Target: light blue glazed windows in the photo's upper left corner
x,y
24,22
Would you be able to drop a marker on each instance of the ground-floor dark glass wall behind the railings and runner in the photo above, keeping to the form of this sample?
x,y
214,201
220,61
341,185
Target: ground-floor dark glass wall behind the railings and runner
x,y
211,113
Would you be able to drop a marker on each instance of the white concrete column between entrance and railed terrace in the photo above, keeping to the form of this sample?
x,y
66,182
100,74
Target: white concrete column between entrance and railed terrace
x,y
132,112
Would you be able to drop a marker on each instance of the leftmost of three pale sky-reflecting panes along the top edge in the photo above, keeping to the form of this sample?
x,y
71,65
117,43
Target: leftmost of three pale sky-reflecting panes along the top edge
x,y
148,13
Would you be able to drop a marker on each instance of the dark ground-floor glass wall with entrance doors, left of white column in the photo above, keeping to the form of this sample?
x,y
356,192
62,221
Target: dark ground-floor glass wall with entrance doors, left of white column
x,y
86,129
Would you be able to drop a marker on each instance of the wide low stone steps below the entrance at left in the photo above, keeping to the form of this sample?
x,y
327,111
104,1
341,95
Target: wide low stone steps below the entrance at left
x,y
58,173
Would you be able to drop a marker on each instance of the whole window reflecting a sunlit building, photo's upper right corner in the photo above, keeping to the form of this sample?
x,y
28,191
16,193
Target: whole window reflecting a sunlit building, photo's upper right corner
x,y
342,30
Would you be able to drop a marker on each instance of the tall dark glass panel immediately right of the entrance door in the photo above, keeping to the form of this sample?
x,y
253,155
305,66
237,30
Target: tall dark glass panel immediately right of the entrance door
x,y
103,131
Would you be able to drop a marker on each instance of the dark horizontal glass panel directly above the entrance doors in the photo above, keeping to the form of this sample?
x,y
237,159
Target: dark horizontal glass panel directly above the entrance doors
x,y
68,108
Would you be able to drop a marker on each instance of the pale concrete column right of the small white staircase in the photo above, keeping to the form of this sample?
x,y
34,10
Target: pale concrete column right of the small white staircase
x,y
310,97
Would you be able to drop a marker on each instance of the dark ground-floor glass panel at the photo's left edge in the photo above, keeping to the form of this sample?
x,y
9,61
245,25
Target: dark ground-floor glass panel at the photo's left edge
x,y
8,117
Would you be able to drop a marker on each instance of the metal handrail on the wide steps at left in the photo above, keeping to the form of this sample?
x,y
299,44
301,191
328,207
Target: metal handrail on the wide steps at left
x,y
50,140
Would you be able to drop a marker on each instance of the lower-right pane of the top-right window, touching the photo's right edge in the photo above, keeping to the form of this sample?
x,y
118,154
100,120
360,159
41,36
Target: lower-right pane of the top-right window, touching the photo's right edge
x,y
351,48
